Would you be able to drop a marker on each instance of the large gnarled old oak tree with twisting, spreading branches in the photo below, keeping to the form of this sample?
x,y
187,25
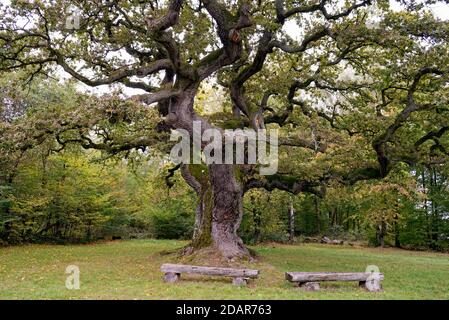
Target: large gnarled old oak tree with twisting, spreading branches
x,y
354,87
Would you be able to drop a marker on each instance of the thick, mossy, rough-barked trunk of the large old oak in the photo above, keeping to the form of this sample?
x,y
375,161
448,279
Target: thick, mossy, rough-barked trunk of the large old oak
x,y
220,197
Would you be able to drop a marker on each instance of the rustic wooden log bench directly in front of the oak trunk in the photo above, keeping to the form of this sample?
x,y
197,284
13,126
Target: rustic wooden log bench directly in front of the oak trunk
x,y
240,276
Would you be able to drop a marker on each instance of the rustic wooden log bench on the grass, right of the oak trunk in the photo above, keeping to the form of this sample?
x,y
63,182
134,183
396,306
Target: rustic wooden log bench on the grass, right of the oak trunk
x,y
309,280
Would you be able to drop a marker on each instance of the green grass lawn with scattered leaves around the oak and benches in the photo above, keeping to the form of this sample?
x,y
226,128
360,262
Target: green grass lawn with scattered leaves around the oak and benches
x,y
130,270
